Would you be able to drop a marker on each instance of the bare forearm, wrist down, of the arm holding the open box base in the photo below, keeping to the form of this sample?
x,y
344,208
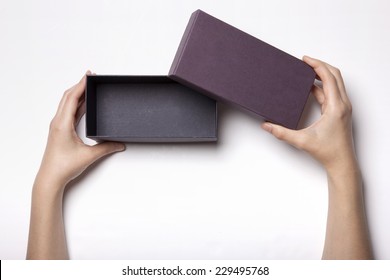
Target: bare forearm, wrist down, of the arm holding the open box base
x,y
47,235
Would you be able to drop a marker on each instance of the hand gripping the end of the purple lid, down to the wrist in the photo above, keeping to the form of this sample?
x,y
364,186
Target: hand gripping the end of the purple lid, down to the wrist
x,y
329,139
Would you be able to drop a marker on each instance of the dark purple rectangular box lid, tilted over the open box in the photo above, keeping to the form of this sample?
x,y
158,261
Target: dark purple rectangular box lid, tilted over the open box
x,y
228,64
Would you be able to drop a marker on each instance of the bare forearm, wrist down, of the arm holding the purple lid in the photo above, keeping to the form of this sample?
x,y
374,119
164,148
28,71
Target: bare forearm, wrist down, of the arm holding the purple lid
x,y
347,232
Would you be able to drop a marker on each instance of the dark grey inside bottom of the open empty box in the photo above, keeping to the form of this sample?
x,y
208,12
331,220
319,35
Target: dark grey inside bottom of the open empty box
x,y
152,110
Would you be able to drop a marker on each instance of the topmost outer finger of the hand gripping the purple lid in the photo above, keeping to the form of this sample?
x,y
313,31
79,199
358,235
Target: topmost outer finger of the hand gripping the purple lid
x,y
329,82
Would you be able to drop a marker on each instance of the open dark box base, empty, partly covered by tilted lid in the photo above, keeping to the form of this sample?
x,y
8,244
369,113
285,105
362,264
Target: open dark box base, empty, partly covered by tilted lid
x,y
147,109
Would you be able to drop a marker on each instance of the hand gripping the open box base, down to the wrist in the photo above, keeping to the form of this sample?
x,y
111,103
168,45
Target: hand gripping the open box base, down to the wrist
x,y
66,156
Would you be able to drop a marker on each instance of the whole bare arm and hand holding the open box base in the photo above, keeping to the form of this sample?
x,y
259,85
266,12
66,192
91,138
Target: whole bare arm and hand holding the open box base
x,y
65,158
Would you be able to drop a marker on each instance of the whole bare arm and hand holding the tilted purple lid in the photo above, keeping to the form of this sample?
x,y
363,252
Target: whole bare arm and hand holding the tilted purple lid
x,y
330,141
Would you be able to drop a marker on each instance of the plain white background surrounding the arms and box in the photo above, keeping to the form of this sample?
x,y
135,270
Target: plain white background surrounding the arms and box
x,y
247,197
